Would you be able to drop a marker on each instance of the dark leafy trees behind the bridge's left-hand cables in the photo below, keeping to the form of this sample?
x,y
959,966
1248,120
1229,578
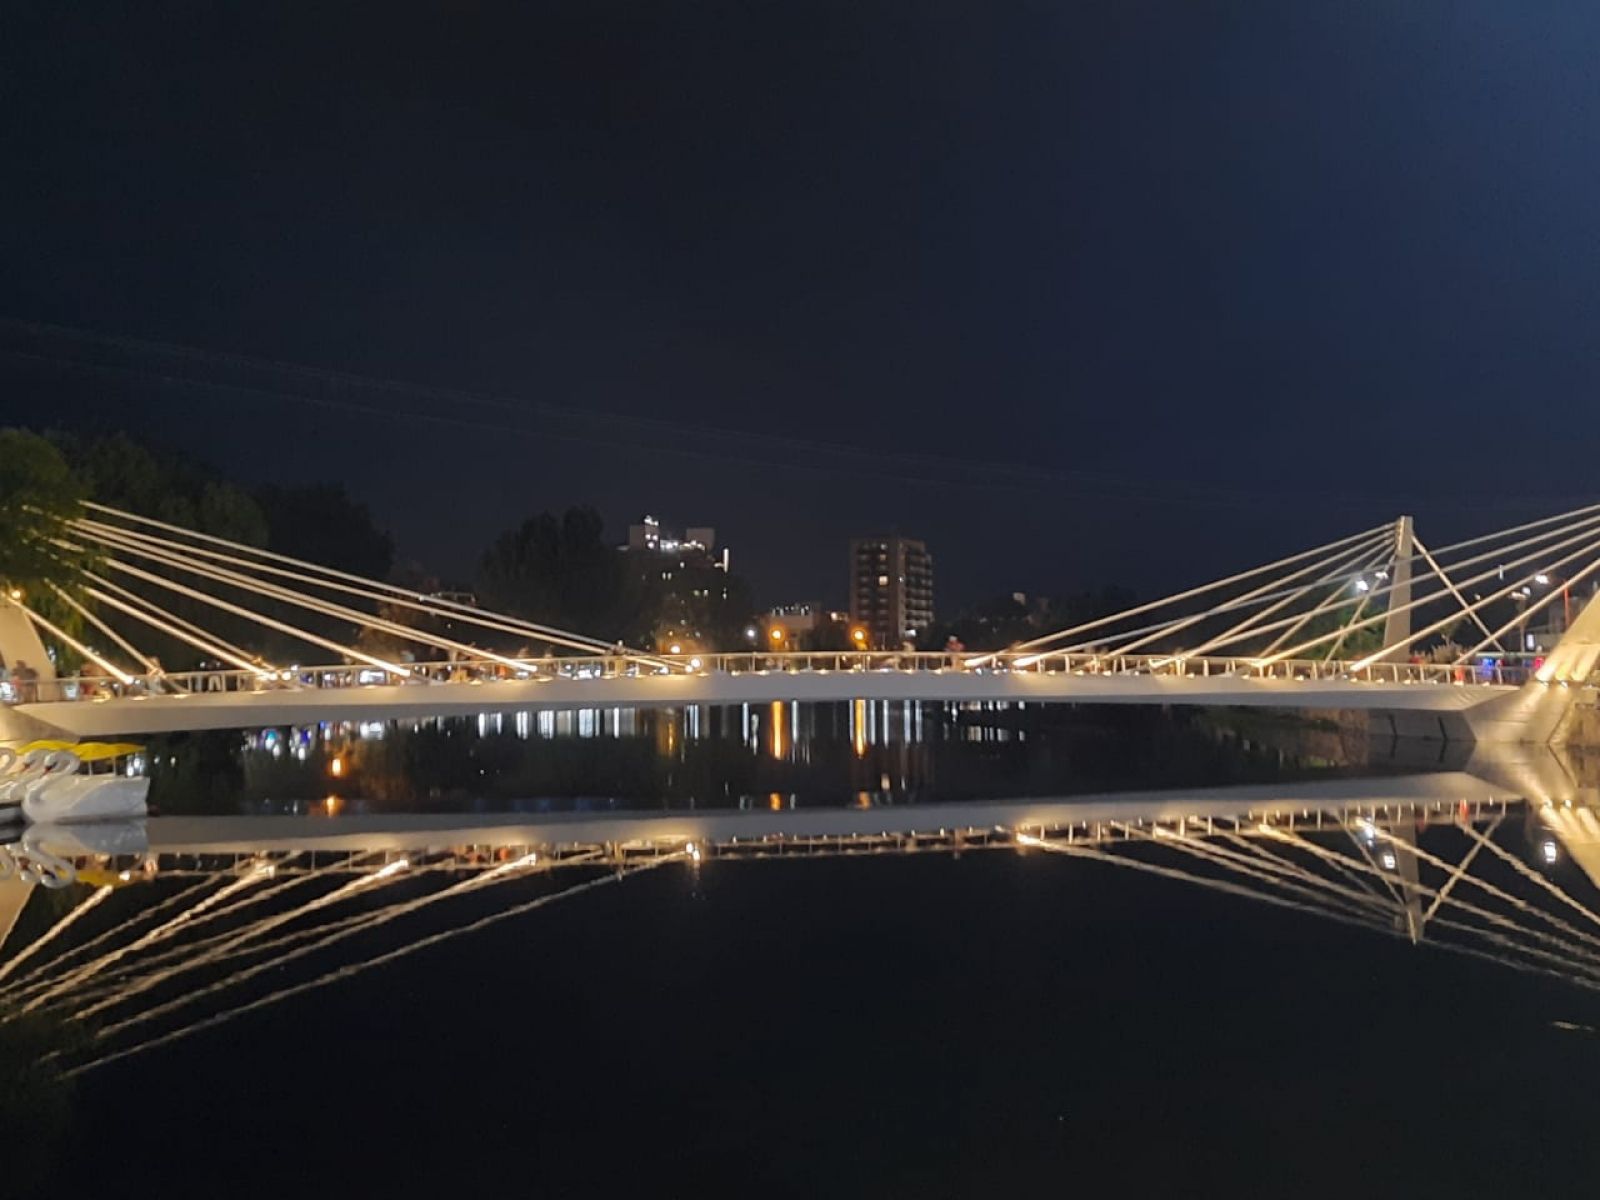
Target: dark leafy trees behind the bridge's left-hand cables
x,y
553,569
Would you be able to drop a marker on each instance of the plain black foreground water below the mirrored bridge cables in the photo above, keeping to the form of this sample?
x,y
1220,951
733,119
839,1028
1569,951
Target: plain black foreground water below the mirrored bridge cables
x,y
977,1028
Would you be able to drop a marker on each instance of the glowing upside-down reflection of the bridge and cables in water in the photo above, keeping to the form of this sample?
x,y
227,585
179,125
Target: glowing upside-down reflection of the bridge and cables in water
x,y
146,934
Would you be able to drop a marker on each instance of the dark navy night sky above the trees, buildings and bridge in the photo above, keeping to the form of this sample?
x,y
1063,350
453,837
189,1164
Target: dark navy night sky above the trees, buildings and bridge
x,y
1076,292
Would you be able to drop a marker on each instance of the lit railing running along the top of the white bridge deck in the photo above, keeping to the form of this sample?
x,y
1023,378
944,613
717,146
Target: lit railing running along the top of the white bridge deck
x,y
490,673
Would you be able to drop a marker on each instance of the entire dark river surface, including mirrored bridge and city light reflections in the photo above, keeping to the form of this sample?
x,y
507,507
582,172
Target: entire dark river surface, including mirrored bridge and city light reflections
x,y
1098,1007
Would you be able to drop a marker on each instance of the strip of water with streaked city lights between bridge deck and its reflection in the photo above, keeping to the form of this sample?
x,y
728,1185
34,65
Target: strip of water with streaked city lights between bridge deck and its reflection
x,y
748,756
